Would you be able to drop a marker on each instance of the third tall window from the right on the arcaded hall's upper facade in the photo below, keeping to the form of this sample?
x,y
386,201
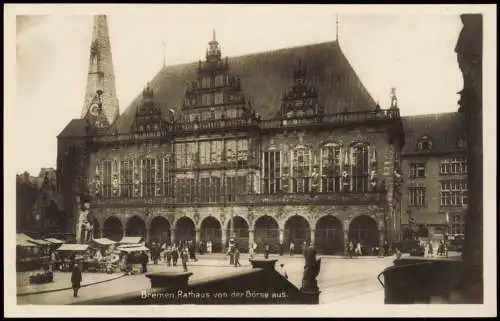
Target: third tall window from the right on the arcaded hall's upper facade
x,y
301,165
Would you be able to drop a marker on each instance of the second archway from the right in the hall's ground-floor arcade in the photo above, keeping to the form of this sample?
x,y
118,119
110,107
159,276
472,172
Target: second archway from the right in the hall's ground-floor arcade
x,y
329,235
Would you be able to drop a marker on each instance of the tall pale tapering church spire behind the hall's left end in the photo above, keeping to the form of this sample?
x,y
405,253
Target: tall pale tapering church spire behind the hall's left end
x,y
101,89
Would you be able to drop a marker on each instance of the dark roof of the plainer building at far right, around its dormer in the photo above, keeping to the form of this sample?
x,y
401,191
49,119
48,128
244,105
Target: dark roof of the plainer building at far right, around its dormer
x,y
444,130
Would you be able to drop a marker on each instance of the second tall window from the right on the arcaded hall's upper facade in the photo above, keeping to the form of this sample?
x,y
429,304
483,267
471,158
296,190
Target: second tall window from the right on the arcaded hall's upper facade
x,y
330,168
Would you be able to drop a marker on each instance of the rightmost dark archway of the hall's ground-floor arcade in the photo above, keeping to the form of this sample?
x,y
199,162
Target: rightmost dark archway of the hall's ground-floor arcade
x,y
364,229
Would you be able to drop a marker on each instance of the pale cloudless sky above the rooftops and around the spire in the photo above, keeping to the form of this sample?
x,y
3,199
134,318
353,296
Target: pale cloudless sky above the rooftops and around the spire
x,y
413,52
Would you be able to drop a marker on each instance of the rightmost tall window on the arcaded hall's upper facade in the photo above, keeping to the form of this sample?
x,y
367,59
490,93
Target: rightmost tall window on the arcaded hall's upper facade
x,y
360,168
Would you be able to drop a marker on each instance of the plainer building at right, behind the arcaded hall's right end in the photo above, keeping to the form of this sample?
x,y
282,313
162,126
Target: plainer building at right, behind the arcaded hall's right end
x,y
434,167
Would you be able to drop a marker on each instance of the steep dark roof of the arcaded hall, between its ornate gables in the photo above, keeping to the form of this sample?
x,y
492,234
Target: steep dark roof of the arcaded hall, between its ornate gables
x,y
264,77
